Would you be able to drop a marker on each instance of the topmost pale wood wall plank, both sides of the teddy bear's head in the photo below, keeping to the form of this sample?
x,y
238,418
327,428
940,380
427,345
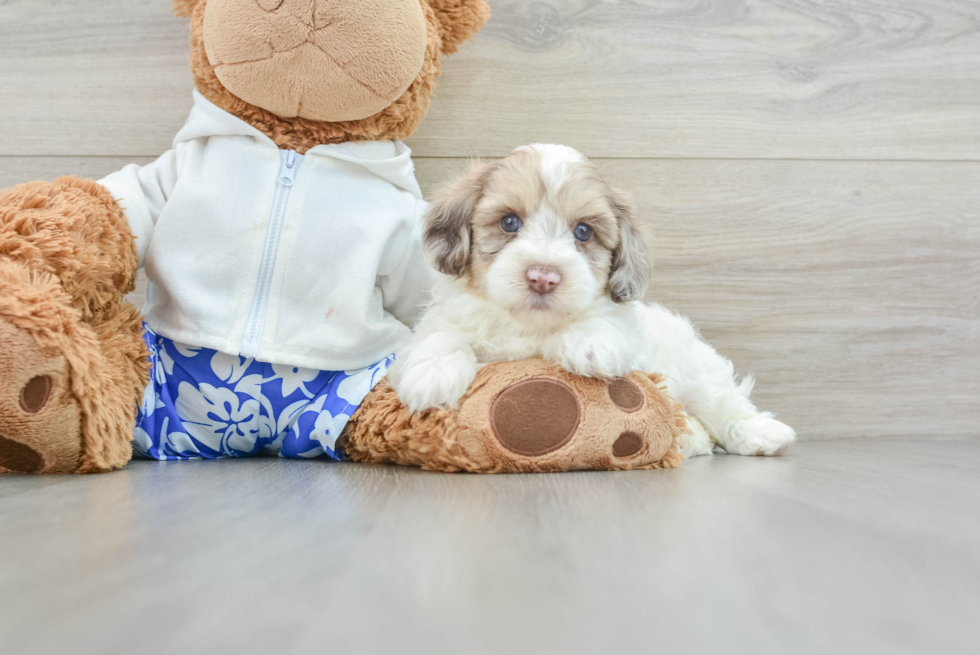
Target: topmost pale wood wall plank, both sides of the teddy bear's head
x,y
669,78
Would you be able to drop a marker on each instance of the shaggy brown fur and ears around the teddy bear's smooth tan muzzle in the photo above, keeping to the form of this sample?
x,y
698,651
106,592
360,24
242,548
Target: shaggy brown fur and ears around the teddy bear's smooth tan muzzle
x,y
446,27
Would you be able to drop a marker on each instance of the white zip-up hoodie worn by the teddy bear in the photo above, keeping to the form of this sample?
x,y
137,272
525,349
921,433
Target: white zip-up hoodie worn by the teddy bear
x,y
311,261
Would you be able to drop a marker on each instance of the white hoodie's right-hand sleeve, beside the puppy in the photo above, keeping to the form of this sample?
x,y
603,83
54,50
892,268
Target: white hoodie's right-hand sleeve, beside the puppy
x,y
407,284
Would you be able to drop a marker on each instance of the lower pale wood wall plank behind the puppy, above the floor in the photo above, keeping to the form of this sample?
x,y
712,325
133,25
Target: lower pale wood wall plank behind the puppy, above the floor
x,y
850,289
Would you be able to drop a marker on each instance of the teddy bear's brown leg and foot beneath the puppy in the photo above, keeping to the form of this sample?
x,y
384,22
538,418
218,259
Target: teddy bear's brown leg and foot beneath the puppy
x,y
596,428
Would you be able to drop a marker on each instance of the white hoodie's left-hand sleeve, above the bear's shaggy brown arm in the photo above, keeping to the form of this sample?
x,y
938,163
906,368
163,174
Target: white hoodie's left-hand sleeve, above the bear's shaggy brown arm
x,y
142,192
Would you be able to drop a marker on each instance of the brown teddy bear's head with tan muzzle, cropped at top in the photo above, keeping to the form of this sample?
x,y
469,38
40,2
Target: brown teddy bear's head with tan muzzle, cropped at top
x,y
308,72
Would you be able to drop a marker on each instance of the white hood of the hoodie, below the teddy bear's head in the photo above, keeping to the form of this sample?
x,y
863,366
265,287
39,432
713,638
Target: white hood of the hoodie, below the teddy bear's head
x,y
389,160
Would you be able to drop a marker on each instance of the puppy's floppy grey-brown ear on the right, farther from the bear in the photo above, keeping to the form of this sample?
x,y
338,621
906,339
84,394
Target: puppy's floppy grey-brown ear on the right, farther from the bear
x,y
632,264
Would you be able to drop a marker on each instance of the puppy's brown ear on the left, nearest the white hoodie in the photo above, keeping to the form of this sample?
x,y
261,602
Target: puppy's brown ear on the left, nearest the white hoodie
x,y
447,222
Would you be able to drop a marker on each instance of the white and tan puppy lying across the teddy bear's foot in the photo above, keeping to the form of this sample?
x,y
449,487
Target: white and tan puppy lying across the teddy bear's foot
x,y
540,257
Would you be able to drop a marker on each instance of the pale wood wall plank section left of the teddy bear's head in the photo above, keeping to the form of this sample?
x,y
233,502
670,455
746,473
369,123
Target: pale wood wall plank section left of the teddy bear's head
x,y
92,77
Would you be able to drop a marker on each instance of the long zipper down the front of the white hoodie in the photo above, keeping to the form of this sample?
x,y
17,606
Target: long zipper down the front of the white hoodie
x,y
290,162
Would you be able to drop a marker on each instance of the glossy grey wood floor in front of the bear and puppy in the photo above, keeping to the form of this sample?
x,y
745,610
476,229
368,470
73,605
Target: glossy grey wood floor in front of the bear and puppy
x,y
870,547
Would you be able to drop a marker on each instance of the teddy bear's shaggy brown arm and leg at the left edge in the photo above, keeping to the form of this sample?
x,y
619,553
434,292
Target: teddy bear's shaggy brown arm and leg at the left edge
x,y
67,258
